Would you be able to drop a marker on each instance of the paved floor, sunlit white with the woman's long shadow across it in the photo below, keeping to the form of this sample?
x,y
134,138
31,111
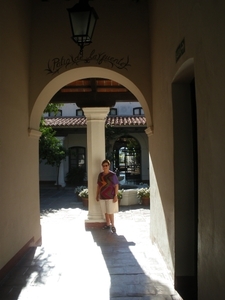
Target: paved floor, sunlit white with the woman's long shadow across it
x,y
75,264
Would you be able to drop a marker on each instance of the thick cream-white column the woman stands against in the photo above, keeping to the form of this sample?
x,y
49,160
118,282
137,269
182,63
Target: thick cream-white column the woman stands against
x,y
96,154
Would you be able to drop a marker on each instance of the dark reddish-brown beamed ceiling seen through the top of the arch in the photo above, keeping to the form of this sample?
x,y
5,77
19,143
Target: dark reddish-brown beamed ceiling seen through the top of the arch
x,y
93,92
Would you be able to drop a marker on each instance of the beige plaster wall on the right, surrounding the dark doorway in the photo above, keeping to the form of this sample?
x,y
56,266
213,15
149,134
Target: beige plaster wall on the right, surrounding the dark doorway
x,y
201,24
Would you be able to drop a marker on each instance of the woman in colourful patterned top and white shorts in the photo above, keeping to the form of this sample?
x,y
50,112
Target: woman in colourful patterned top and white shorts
x,y
107,189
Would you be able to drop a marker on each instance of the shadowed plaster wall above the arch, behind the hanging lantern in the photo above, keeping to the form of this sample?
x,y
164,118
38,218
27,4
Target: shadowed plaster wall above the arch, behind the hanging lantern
x,y
119,36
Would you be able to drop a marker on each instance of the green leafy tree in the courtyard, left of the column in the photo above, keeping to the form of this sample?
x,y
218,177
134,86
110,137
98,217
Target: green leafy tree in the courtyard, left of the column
x,y
50,148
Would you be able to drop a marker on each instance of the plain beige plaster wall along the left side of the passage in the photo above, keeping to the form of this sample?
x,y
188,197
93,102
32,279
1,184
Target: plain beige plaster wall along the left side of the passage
x,y
19,192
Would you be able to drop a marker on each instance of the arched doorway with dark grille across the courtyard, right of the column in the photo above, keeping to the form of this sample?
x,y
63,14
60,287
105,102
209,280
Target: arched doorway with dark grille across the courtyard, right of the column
x,y
127,159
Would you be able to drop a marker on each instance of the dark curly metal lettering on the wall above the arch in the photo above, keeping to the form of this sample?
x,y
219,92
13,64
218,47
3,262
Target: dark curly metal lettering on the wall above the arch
x,y
58,63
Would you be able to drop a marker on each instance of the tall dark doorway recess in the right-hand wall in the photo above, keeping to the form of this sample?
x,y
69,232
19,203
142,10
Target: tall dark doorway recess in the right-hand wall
x,y
185,180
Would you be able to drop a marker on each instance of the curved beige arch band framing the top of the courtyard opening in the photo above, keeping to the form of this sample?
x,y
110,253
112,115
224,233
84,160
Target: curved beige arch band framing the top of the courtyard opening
x,y
76,74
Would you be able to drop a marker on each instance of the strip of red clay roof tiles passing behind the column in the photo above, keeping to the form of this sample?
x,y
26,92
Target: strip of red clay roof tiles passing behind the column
x,y
125,121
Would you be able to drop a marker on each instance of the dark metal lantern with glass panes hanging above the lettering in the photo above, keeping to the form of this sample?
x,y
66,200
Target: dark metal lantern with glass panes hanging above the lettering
x,y
82,20
